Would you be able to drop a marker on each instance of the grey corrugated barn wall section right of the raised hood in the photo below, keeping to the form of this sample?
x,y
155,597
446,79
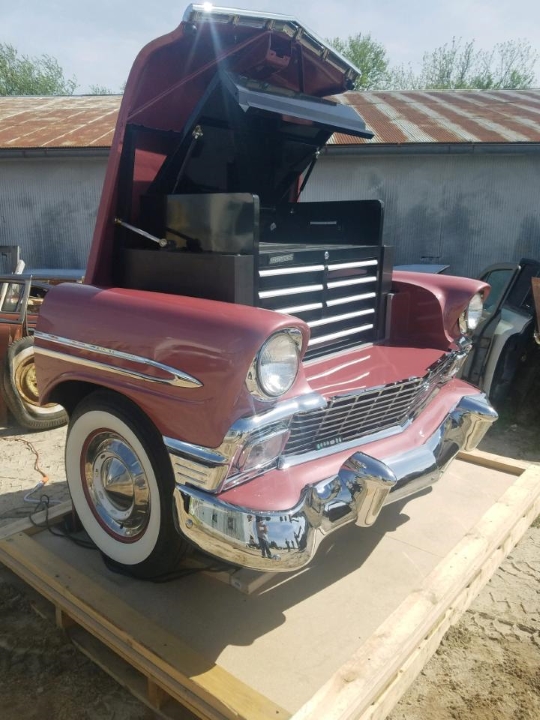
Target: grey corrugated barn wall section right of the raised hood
x,y
467,210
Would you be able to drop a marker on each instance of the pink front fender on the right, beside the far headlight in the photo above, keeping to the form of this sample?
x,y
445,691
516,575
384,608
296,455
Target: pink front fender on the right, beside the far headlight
x,y
426,308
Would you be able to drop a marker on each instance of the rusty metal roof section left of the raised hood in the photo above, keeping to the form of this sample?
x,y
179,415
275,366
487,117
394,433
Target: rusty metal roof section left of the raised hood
x,y
58,122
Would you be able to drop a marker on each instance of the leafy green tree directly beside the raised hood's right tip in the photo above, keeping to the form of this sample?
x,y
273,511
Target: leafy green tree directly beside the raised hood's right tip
x,y
370,58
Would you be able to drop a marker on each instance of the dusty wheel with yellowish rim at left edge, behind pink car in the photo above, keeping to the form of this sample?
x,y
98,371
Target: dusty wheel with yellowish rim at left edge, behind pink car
x,y
21,392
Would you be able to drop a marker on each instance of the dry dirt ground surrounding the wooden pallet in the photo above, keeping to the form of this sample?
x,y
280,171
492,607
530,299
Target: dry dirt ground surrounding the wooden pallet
x,y
487,667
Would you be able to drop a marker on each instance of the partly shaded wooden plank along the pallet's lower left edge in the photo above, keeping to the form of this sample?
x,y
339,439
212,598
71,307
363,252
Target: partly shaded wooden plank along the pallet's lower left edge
x,y
200,684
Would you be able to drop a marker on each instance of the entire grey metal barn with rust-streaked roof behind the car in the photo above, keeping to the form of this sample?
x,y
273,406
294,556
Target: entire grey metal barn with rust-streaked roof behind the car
x,y
458,171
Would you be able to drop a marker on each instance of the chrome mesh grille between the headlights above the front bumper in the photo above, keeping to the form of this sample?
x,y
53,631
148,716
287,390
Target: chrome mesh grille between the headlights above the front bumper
x,y
351,417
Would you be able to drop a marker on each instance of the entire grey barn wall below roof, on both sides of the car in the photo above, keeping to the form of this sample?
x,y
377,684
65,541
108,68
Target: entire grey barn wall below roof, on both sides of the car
x,y
467,210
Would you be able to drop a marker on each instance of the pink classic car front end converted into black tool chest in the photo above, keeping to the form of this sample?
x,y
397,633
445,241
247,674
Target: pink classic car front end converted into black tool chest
x,y
242,370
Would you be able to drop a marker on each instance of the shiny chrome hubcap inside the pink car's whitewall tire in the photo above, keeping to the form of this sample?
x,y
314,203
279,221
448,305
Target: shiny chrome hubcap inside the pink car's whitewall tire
x,y
115,485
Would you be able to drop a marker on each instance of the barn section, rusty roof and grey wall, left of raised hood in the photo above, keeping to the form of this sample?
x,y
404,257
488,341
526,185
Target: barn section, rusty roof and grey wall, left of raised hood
x,y
53,155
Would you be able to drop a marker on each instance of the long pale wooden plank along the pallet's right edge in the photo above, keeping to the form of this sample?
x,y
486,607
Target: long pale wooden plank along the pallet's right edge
x,y
374,678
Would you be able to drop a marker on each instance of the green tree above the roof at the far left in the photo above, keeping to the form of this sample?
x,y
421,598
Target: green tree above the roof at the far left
x,y
23,75
